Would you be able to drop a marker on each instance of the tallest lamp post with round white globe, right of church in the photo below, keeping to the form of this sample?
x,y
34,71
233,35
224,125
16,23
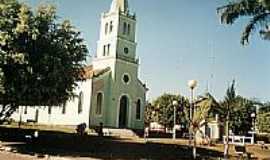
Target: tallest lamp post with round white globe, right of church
x,y
192,85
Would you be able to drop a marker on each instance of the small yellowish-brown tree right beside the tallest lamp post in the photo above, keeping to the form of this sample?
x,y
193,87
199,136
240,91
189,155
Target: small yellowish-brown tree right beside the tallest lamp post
x,y
202,107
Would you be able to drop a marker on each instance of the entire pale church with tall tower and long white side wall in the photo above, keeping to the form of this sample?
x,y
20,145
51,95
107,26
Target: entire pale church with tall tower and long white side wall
x,y
112,94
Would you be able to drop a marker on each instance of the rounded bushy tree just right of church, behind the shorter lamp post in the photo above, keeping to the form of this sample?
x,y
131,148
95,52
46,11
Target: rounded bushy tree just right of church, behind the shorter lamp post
x,y
161,110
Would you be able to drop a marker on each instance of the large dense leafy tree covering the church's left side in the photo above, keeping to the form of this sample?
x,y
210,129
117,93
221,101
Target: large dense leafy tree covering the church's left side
x,y
40,58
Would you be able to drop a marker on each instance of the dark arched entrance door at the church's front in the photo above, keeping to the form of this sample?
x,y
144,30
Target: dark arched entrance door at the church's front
x,y
123,118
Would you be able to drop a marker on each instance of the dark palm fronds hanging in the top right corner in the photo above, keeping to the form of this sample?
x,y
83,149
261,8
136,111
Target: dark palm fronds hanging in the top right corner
x,y
258,10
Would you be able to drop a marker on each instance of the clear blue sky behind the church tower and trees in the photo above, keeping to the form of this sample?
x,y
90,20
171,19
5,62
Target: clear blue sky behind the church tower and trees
x,y
177,40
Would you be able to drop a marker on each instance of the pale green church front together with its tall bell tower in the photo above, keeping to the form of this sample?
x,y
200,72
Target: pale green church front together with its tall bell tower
x,y
124,93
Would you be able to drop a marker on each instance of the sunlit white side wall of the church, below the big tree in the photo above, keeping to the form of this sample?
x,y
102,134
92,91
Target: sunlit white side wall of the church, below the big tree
x,y
71,117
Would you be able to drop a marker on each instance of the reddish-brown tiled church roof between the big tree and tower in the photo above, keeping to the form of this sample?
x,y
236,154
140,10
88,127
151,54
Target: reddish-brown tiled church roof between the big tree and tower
x,y
89,72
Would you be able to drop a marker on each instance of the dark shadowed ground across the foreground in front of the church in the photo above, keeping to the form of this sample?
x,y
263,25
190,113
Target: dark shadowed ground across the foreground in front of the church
x,y
69,146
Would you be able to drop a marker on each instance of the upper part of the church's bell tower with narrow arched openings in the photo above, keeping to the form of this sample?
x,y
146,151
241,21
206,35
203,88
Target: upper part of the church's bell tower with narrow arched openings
x,y
117,35
